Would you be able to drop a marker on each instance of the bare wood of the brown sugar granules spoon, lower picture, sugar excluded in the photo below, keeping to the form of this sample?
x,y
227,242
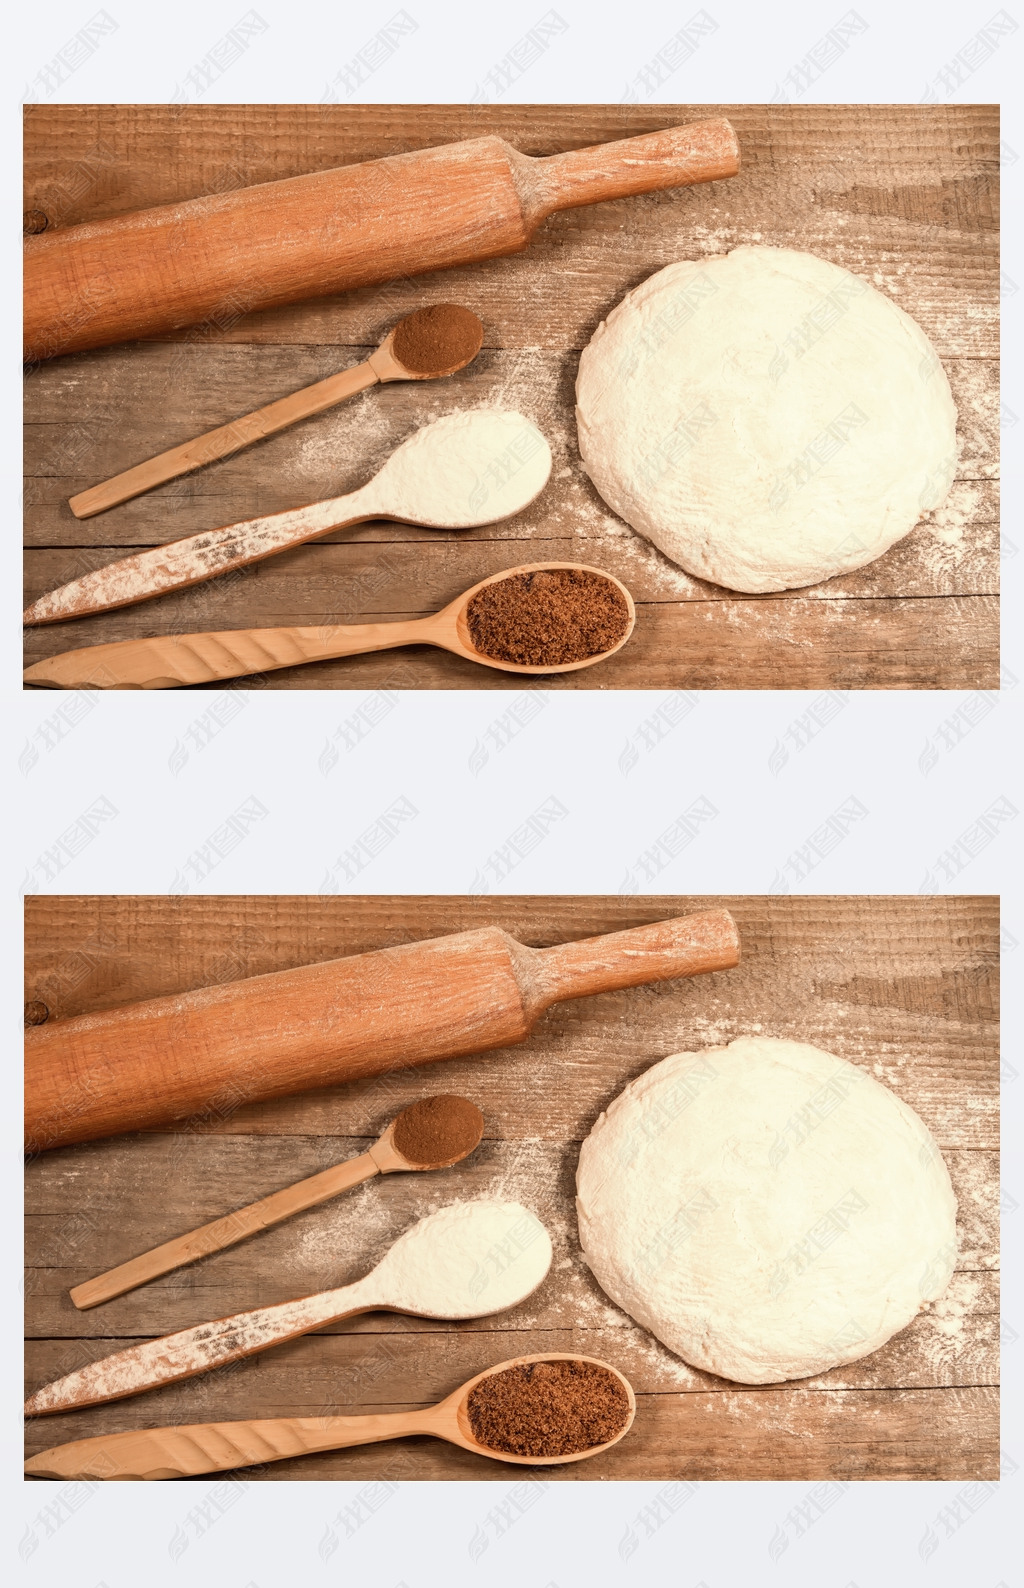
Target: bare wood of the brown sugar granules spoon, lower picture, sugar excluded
x,y
221,1447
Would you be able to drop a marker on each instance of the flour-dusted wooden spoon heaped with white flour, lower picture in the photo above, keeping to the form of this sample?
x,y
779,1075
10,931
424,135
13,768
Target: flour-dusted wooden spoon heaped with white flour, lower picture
x,y
464,1262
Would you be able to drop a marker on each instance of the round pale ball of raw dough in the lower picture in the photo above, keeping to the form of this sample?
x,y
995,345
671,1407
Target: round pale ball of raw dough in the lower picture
x,y
766,1209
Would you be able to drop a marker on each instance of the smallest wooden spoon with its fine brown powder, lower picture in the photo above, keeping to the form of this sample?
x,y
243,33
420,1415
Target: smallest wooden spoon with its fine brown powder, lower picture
x,y
434,1133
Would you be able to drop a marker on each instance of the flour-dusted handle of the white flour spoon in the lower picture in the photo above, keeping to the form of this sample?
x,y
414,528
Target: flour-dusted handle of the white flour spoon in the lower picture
x,y
198,1351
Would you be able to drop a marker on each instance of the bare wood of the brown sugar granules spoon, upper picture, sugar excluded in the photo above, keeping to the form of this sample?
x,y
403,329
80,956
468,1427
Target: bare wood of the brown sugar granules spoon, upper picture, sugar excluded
x,y
175,660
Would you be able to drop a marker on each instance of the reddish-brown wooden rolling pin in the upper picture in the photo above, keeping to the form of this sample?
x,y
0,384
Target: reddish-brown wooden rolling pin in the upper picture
x,y
156,271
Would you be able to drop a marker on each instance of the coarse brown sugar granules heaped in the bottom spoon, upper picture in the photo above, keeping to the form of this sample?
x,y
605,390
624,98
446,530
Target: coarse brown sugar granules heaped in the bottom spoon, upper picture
x,y
549,619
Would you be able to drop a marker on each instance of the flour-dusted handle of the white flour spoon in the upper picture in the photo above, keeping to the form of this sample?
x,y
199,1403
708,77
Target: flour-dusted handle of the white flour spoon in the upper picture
x,y
198,558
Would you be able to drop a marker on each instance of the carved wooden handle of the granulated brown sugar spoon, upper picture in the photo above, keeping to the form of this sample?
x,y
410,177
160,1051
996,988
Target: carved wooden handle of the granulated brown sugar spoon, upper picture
x,y
174,660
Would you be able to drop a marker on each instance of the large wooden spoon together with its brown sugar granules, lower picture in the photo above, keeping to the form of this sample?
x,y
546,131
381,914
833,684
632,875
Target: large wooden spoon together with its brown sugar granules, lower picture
x,y
534,1411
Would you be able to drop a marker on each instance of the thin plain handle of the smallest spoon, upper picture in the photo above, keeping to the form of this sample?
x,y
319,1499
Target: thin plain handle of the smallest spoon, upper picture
x,y
223,442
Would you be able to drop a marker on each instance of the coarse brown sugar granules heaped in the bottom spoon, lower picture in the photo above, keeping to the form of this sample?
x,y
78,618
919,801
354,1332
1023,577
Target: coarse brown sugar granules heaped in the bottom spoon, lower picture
x,y
549,1409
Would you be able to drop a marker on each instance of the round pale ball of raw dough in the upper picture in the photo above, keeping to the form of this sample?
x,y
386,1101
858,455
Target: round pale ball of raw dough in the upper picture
x,y
766,418
